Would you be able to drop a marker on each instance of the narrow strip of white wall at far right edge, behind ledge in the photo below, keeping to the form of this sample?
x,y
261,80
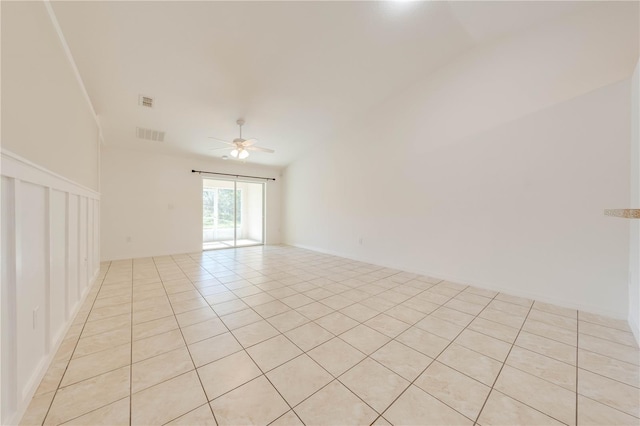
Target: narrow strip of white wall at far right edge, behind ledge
x,y
634,236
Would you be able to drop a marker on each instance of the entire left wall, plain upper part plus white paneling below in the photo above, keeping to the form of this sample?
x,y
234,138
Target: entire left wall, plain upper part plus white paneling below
x,y
49,207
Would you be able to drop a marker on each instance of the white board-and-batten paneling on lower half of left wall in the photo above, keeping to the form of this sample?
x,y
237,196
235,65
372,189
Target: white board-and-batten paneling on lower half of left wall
x,y
50,243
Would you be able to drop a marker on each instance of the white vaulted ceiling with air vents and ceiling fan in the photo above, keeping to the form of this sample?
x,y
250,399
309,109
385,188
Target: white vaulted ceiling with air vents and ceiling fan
x,y
296,71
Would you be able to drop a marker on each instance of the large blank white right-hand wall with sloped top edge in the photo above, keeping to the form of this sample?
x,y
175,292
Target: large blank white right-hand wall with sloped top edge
x,y
493,171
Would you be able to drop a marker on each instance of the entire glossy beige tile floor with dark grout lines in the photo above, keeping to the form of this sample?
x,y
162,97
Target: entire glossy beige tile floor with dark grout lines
x,y
287,336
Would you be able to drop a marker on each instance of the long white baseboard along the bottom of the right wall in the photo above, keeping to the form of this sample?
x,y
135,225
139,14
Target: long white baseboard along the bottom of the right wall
x,y
487,286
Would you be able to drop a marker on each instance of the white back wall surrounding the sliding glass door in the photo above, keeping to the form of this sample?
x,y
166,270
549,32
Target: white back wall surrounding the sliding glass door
x,y
155,200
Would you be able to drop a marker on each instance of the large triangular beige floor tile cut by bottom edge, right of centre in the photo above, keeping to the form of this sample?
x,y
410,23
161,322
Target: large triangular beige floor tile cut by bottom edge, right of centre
x,y
416,407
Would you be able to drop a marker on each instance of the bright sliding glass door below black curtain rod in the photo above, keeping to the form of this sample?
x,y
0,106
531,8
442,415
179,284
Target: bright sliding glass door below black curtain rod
x,y
232,213
